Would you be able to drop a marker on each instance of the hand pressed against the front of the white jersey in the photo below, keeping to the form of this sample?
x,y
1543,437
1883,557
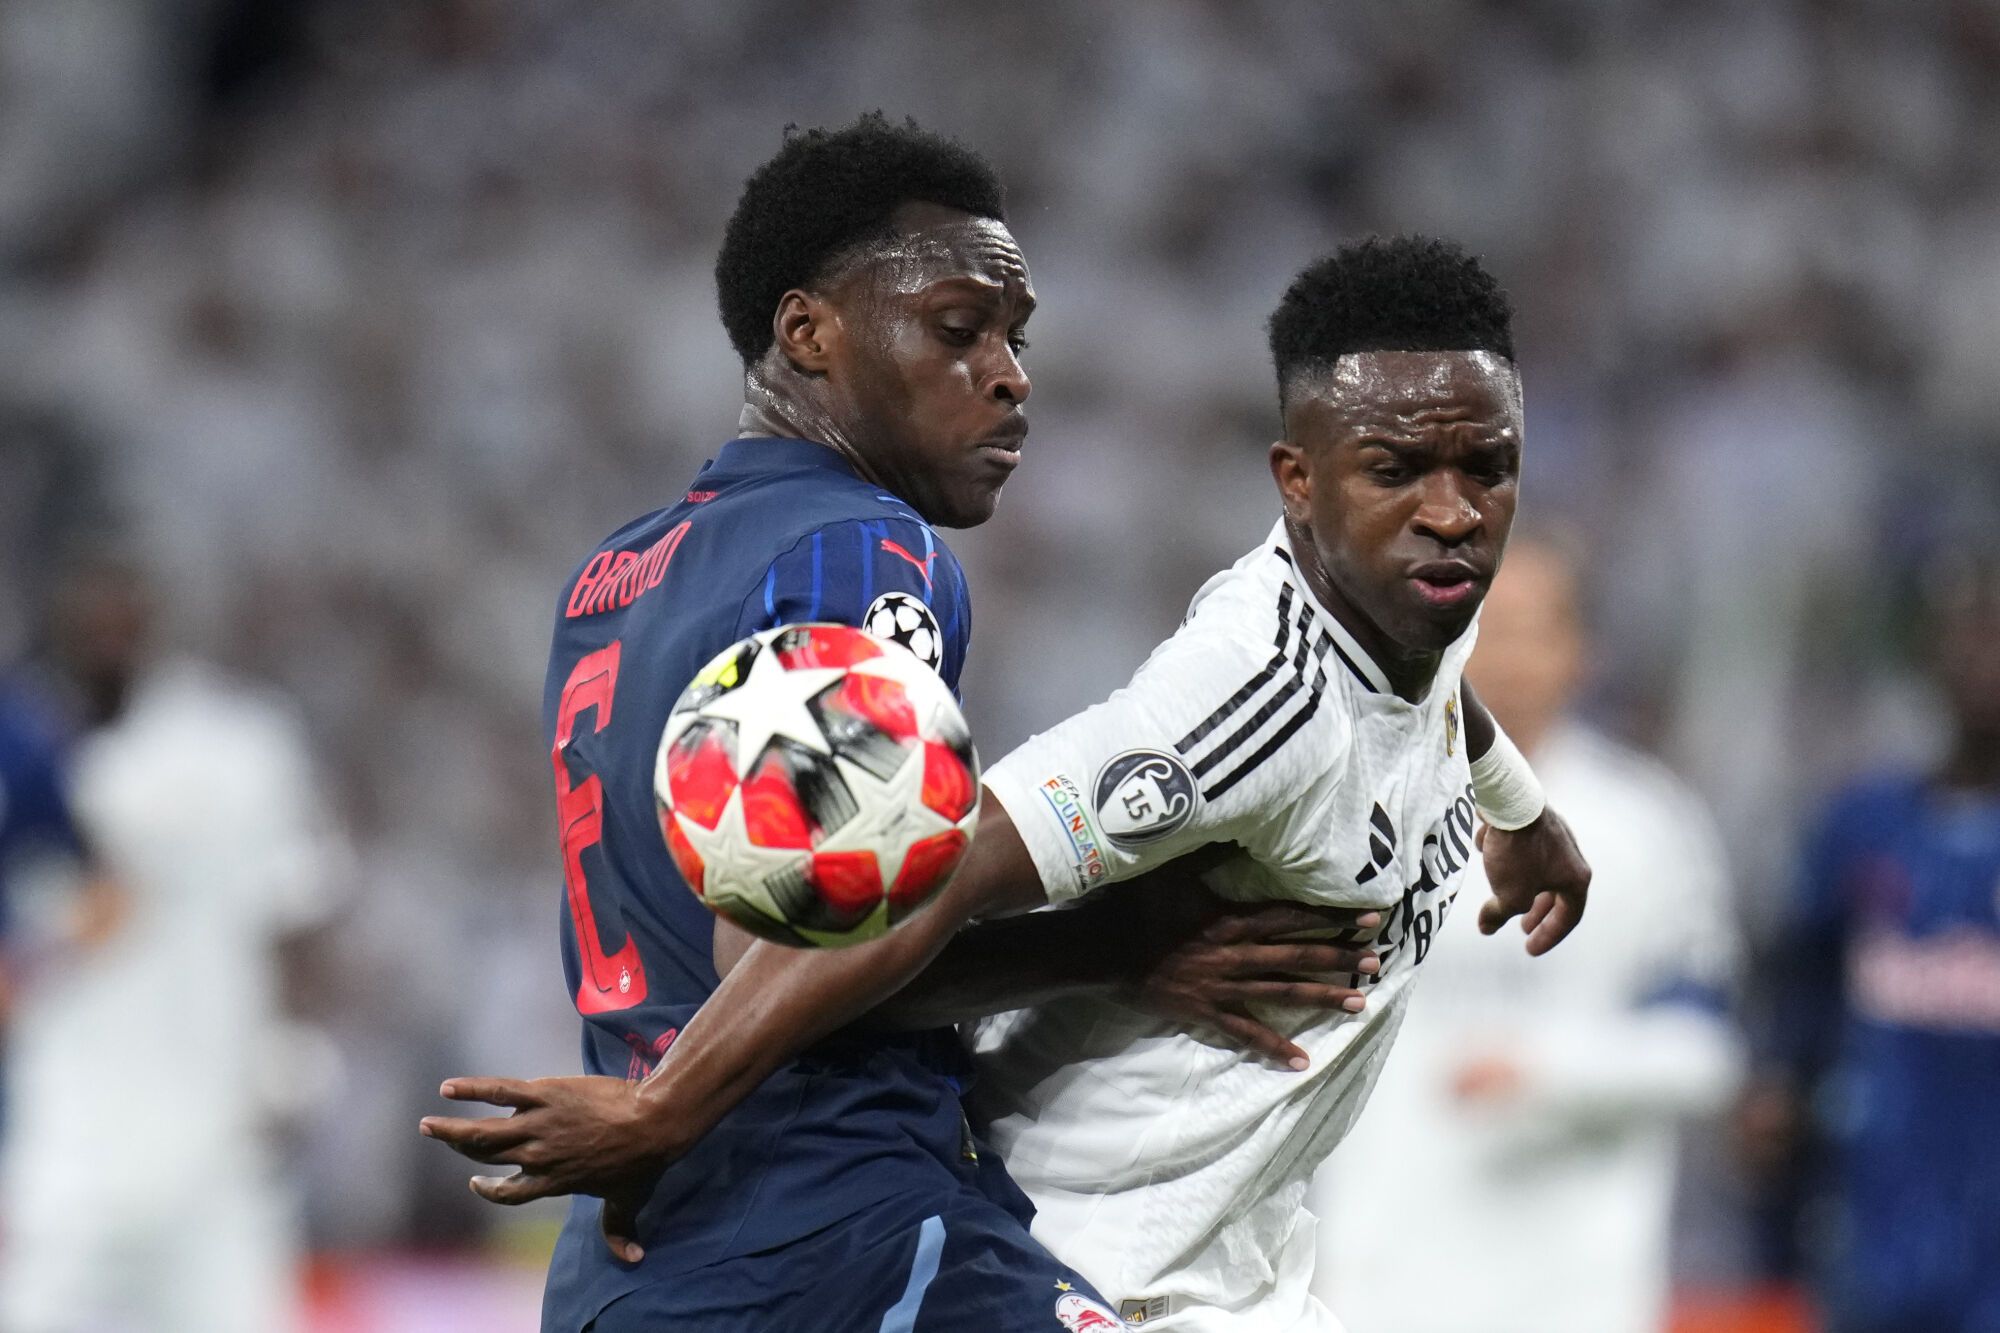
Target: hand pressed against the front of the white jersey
x,y
1213,960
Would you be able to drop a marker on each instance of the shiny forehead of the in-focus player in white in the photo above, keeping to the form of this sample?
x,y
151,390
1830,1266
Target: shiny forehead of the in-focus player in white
x,y
1409,393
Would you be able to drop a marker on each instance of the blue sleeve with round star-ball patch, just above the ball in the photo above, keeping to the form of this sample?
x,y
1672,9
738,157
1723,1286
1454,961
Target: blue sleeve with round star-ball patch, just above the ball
x,y
891,577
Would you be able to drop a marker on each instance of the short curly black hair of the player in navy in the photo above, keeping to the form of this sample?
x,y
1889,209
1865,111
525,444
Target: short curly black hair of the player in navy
x,y
825,195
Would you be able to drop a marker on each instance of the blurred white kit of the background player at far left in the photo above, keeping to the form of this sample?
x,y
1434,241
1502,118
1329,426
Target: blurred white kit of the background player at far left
x,y
139,1172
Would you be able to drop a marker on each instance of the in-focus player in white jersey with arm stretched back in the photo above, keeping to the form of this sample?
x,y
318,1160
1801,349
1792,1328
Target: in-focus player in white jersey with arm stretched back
x,y
1309,714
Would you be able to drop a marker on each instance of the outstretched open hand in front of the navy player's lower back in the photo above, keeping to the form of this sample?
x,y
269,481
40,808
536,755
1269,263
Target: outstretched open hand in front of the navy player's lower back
x,y
575,1136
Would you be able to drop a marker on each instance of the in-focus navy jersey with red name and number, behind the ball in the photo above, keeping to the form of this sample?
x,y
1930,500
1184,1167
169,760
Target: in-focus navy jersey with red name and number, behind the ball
x,y
771,533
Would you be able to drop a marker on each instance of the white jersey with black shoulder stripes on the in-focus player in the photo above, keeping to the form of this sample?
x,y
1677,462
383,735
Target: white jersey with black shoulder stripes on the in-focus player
x,y
1171,1168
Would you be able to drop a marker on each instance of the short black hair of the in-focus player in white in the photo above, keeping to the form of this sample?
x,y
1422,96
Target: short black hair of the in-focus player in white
x,y
1389,295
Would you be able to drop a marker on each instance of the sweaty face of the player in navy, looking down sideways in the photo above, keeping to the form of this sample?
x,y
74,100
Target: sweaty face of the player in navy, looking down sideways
x,y
929,377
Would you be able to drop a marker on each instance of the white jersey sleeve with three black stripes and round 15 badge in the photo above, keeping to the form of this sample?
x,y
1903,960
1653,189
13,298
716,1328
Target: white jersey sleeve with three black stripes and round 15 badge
x,y
1225,736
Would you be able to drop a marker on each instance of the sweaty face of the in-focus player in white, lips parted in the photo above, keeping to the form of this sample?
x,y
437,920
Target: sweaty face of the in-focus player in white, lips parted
x,y
1403,471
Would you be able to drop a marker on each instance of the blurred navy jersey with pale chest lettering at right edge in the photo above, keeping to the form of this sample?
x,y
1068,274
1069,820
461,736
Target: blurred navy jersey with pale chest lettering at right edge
x,y
1891,992
